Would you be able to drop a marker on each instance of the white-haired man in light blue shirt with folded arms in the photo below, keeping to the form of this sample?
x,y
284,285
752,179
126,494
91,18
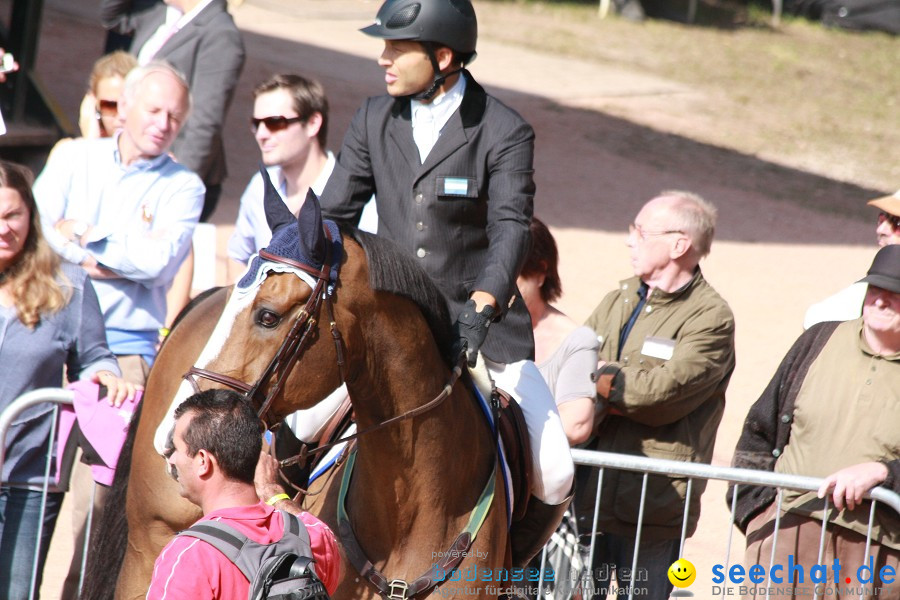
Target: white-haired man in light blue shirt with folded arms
x,y
123,209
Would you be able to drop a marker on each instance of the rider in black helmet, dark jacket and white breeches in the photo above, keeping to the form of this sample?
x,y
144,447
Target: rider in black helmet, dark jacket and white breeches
x,y
451,168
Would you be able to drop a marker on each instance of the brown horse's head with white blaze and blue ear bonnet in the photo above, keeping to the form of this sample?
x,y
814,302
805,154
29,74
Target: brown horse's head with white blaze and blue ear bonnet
x,y
275,317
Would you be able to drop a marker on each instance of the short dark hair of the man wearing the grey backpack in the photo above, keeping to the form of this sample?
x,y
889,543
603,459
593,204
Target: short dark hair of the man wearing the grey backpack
x,y
226,426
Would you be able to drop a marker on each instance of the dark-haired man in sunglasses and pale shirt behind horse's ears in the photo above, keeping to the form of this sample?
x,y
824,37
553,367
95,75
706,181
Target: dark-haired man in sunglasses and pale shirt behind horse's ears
x,y
290,124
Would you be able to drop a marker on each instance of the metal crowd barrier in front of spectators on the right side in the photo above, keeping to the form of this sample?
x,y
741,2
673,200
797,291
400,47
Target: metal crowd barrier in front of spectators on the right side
x,y
648,466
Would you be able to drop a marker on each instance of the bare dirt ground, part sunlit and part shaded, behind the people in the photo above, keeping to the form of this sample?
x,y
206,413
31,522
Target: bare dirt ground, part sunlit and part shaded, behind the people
x,y
784,238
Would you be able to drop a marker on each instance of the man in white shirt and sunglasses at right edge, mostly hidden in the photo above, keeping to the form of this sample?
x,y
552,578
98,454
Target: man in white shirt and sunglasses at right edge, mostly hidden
x,y
847,304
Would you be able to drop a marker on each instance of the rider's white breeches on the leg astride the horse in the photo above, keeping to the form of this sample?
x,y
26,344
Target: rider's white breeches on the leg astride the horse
x,y
553,468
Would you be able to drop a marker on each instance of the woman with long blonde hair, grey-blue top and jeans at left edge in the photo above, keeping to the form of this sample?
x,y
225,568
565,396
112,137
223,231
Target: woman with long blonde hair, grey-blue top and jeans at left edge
x,y
49,319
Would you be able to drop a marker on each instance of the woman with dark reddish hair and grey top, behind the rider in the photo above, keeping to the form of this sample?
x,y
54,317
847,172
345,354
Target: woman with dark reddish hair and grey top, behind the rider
x,y
565,353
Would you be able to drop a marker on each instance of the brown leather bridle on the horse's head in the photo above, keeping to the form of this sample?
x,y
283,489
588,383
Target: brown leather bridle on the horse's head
x,y
298,339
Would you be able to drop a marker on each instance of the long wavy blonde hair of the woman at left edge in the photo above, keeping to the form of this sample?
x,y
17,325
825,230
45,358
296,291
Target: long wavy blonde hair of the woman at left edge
x,y
34,279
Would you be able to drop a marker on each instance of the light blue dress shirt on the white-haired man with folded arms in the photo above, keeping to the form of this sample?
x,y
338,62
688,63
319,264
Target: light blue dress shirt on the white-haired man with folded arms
x,y
143,215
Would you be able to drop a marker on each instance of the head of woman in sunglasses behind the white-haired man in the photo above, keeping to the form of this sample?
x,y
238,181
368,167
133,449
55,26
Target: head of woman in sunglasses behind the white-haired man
x,y
99,115
